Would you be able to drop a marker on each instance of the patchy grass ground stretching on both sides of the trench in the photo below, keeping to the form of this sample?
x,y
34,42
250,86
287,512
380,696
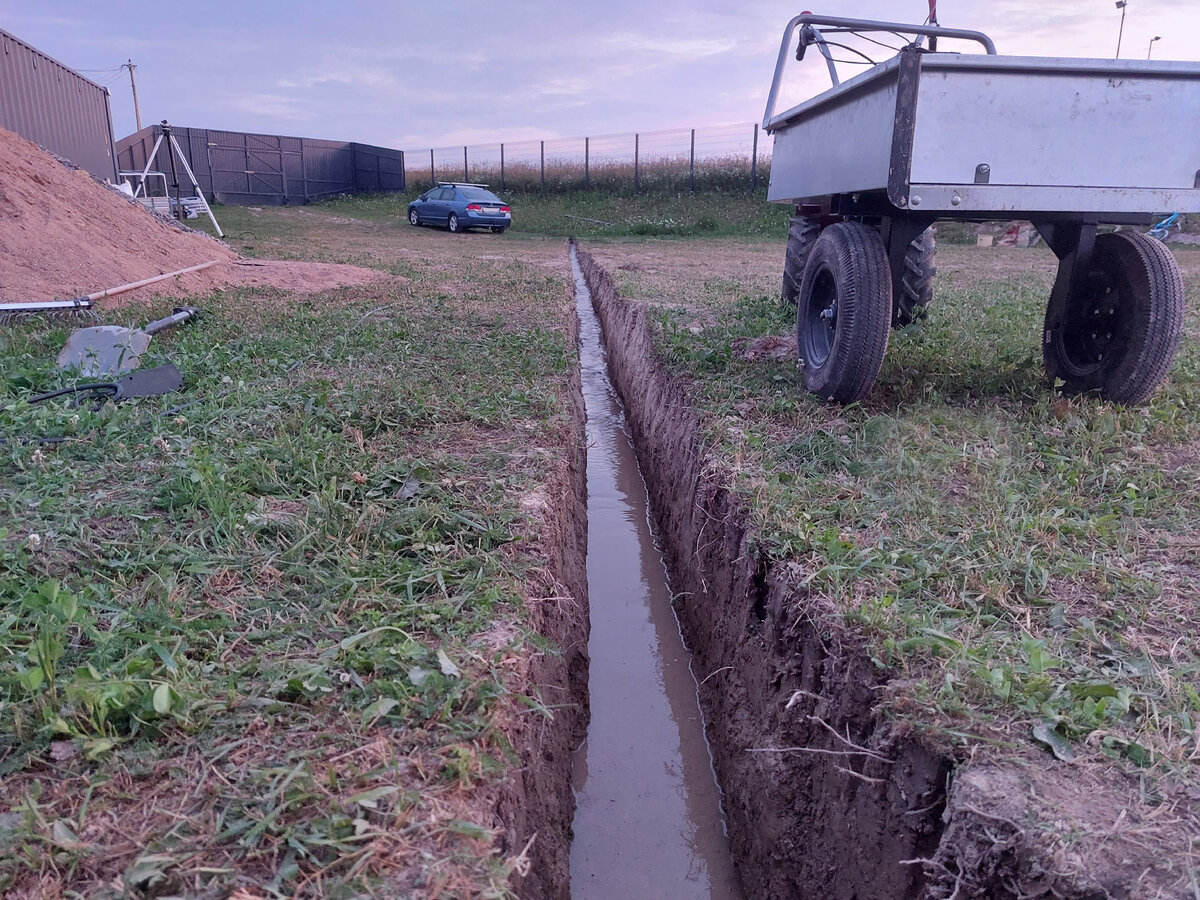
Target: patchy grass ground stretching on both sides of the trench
x,y
260,635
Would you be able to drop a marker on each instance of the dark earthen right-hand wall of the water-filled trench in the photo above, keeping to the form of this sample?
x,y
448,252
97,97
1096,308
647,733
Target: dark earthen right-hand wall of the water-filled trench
x,y
838,819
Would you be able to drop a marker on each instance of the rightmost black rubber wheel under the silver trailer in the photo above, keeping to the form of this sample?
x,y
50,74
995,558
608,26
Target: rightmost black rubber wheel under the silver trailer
x,y
1120,338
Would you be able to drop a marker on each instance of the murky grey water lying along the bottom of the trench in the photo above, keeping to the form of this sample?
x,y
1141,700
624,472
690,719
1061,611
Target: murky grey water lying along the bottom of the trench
x,y
649,823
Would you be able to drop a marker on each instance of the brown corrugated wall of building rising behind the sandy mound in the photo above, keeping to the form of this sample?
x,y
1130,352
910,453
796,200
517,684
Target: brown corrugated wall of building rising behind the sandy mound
x,y
53,106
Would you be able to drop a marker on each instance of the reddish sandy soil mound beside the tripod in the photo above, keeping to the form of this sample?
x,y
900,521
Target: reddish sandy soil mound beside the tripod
x,y
65,235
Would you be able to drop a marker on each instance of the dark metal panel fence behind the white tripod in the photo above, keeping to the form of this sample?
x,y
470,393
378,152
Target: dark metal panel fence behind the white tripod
x,y
245,169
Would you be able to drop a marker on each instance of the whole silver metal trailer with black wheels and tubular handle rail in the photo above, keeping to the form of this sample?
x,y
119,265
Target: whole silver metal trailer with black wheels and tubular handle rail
x,y
1070,145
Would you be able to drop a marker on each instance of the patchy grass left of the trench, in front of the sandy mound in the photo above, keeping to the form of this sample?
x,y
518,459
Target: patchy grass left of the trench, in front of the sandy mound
x,y
260,635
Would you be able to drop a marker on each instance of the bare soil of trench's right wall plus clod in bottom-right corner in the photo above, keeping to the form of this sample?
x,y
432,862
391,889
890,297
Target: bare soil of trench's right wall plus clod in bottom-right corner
x,y
826,799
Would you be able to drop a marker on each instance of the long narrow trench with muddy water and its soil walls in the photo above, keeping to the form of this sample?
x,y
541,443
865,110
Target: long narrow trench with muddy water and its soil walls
x,y
825,796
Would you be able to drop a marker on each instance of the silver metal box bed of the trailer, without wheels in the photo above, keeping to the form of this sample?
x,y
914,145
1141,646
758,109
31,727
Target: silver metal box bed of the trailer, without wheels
x,y
964,135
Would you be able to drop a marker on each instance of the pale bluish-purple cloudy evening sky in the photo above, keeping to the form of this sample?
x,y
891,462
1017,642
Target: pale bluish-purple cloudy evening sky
x,y
412,75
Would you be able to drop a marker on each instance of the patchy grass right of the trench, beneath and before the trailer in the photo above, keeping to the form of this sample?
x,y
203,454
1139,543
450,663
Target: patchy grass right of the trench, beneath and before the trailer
x,y
1023,563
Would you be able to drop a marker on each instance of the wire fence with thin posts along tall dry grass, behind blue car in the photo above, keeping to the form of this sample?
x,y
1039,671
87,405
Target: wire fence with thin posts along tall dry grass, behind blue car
x,y
727,158
